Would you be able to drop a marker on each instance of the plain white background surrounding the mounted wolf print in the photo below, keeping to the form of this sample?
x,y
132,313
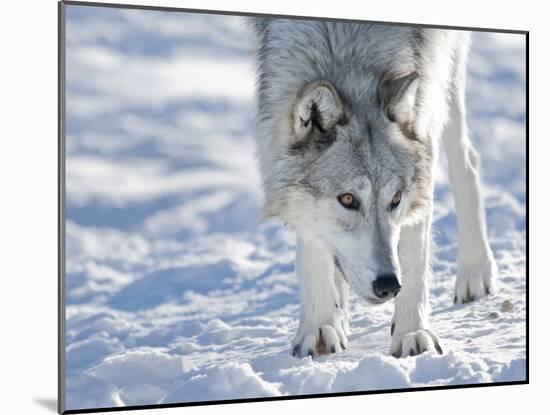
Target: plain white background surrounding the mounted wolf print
x,y
28,215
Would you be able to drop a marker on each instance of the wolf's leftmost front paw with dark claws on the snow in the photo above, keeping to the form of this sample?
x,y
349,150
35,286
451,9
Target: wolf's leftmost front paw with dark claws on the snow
x,y
314,341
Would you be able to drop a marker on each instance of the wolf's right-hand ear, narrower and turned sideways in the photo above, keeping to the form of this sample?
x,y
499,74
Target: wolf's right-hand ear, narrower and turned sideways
x,y
398,97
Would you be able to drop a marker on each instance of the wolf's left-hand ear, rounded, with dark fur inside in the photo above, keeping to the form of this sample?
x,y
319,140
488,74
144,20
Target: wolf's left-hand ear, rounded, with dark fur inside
x,y
317,106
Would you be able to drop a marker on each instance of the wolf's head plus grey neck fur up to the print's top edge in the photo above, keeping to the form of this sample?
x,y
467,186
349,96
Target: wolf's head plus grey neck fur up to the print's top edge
x,y
344,154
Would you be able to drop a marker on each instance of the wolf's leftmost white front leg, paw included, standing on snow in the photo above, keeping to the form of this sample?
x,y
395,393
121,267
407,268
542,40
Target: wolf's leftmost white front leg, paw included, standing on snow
x,y
322,328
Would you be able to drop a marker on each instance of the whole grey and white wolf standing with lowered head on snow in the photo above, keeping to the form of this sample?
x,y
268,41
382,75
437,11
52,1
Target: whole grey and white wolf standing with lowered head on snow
x,y
348,126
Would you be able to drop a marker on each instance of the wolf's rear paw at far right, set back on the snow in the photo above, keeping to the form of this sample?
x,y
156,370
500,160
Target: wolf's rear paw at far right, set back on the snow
x,y
475,281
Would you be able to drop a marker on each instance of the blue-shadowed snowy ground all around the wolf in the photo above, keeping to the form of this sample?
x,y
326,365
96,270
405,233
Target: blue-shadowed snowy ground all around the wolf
x,y
176,293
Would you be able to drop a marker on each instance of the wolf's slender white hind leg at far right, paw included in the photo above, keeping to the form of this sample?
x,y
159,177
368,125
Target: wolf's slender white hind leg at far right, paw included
x,y
477,268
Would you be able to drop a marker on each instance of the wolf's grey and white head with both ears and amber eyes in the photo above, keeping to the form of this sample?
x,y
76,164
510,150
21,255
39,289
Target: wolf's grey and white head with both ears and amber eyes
x,y
351,172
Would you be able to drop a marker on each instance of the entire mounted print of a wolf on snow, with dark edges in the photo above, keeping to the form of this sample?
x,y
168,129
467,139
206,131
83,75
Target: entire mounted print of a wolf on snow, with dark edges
x,y
270,207
